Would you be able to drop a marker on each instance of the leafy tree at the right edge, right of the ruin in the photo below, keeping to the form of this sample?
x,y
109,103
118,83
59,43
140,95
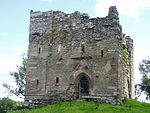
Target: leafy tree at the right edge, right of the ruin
x,y
144,87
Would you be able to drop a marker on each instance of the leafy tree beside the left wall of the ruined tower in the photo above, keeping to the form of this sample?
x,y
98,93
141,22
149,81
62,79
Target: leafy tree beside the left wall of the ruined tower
x,y
19,77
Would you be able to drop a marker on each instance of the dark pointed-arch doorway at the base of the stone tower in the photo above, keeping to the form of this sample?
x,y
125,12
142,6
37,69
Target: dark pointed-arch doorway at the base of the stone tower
x,y
83,84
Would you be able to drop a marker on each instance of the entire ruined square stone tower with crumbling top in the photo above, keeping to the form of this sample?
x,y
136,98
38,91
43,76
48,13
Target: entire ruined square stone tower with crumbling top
x,y
73,56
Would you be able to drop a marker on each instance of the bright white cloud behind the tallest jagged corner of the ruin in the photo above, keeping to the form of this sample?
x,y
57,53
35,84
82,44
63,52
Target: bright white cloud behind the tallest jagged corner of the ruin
x,y
125,7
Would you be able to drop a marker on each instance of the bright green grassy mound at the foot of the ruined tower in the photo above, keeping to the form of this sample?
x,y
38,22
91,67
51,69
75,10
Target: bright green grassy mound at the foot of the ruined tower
x,y
130,106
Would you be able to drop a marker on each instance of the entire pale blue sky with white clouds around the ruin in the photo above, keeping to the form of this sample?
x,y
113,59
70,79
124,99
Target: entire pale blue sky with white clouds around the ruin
x,y
14,26
